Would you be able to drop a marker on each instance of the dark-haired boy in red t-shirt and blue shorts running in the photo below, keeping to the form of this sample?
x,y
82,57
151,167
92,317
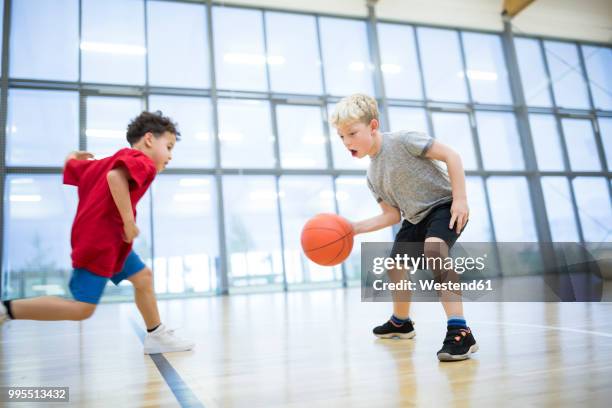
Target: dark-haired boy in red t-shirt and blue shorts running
x,y
104,229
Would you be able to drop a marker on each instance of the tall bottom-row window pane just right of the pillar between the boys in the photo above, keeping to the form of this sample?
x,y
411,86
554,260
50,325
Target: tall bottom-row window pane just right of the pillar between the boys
x,y
252,232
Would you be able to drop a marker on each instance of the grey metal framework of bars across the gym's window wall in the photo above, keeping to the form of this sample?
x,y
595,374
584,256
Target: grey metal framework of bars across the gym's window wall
x,y
519,108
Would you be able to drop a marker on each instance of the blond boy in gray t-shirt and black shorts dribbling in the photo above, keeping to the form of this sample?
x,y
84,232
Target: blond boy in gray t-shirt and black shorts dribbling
x,y
408,179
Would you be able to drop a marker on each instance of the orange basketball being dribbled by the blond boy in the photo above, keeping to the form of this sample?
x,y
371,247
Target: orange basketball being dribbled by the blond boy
x,y
327,239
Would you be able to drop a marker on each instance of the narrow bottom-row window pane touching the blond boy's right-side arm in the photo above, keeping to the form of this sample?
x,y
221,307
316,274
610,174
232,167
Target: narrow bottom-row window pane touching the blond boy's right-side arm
x,y
478,228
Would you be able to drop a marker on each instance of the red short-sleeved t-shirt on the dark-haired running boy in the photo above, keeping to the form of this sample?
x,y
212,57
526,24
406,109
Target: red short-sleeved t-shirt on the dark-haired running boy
x,y
97,232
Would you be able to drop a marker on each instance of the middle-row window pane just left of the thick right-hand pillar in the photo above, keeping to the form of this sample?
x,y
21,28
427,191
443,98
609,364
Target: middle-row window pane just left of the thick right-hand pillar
x,y
499,141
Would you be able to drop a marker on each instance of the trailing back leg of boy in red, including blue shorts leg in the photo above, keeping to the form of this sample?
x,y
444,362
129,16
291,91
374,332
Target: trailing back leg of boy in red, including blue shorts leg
x,y
86,288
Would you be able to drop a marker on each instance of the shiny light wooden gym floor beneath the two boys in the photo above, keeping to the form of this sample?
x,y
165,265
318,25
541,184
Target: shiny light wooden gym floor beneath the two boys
x,y
311,349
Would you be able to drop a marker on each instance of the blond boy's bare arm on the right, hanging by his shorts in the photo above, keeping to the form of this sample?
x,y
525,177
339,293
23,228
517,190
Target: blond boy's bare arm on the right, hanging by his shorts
x,y
459,210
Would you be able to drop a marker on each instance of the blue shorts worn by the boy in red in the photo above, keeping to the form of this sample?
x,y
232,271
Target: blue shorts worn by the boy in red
x,y
88,287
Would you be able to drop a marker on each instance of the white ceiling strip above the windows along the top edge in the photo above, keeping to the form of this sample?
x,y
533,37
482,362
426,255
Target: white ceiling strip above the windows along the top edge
x,y
589,20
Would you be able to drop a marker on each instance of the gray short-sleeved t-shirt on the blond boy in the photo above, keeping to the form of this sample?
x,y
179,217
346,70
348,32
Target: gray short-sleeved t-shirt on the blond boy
x,y
401,176
